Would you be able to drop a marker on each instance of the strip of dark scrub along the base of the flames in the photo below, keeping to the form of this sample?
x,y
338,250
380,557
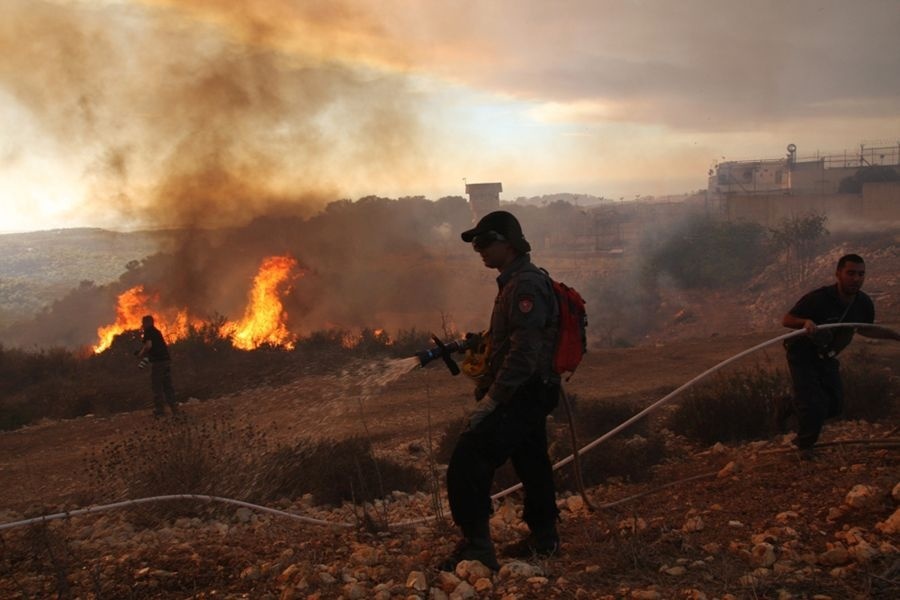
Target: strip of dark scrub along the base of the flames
x,y
62,384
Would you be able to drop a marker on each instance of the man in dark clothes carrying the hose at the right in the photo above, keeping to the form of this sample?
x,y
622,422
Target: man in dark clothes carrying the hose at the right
x,y
812,359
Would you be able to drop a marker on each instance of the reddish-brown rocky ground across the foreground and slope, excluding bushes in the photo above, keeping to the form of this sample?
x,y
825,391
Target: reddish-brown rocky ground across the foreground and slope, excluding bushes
x,y
743,521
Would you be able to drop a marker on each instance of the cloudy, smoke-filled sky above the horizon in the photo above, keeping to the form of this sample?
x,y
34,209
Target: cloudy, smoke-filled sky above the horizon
x,y
133,114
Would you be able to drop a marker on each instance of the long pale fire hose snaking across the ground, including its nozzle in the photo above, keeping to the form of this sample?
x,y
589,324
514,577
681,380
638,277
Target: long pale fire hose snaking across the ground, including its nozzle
x,y
439,352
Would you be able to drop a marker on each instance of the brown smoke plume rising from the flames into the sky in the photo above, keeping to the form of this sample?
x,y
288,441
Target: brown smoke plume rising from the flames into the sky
x,y
209,123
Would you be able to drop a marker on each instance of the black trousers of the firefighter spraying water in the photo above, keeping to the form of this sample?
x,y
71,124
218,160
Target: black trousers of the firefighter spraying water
x,y
517,431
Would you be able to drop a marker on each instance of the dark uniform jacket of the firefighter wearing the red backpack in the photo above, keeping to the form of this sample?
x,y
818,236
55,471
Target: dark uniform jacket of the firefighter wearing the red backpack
x,y
524,326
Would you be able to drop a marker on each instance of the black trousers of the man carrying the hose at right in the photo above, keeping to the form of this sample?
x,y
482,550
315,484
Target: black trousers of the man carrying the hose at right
x,y
818,395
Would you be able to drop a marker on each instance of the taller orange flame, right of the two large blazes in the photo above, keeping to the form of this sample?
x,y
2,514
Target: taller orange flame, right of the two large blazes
x,y
264,317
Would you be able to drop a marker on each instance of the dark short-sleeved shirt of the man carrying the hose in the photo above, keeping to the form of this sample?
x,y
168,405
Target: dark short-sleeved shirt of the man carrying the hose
x,y
823,306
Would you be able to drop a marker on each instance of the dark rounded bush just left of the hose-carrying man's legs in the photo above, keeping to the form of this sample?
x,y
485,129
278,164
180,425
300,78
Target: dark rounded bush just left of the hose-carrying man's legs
x,y
738,406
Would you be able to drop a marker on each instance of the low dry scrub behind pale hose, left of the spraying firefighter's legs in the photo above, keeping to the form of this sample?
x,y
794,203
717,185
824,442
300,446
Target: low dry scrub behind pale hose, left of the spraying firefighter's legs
x,y
219,458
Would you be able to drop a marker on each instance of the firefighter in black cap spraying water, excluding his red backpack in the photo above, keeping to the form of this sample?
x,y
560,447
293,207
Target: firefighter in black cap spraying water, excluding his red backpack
x,y
516,393
